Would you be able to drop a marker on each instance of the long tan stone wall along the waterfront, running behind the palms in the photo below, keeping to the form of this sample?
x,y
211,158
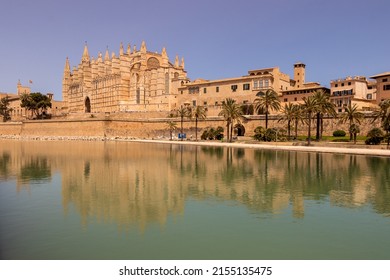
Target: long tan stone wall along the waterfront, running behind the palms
x,y
138,127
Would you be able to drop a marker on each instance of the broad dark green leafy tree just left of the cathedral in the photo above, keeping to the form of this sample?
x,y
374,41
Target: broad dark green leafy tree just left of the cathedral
x,y
35,102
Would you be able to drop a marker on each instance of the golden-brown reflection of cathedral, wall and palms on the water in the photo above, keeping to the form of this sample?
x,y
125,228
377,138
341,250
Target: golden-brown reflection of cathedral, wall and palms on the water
x,y
135,184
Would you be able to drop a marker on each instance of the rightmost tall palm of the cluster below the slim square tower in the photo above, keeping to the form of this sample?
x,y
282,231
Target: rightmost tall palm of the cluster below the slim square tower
x,y
325,106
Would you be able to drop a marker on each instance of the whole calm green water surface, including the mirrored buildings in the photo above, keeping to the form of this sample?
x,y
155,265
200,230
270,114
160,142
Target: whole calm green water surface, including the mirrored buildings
x,y
117,200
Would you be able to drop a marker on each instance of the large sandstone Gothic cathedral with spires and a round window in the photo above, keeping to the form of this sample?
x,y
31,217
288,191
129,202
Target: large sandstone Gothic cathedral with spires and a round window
x,y
133,80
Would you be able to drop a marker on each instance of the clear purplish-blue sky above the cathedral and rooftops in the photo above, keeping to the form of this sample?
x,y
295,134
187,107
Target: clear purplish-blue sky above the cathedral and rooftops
x,y
218,39
